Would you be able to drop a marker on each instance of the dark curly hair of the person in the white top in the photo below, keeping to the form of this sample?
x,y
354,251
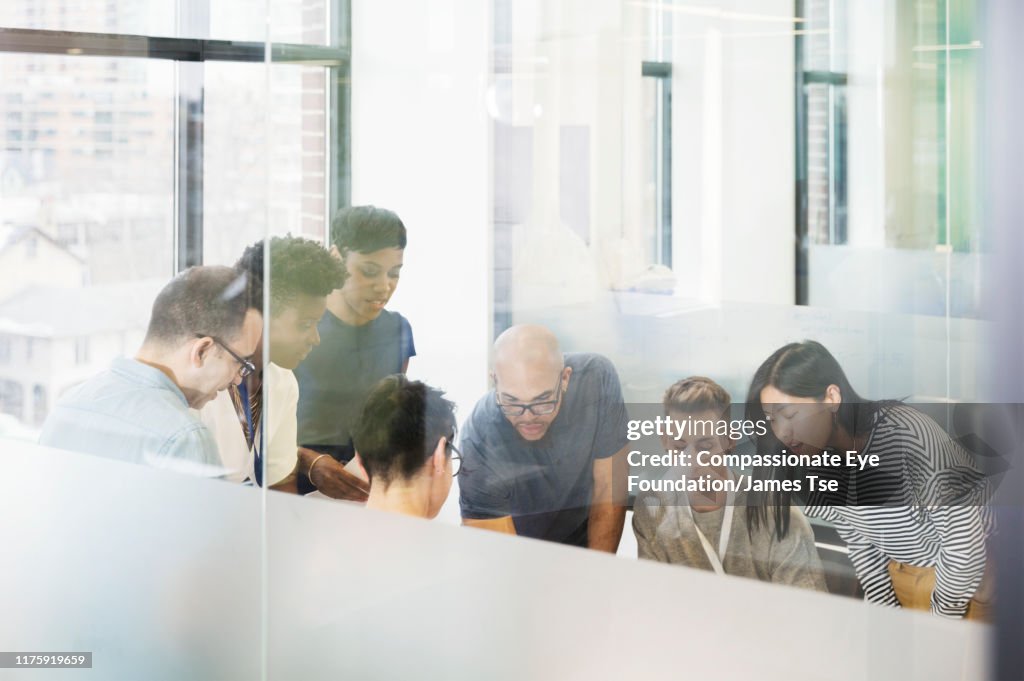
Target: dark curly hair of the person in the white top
x,y
298,267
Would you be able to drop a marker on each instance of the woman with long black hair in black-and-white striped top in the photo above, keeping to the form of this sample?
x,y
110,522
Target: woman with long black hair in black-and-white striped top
x,y
917,524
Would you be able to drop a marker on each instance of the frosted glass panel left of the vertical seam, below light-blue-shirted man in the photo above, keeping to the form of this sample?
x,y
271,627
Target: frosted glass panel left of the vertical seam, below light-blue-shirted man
x,y
157,575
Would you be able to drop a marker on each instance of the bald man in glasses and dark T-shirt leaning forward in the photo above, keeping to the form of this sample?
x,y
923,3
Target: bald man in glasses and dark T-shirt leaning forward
x,y
545,450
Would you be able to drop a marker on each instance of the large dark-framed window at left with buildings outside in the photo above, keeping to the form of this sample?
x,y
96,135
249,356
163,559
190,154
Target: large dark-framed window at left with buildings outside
x,y
158,152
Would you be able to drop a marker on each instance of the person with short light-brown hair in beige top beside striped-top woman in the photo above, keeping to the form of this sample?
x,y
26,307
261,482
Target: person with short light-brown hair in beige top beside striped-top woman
x,y
710,531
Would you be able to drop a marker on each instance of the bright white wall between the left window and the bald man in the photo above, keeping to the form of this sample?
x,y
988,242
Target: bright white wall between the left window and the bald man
x,y
420,147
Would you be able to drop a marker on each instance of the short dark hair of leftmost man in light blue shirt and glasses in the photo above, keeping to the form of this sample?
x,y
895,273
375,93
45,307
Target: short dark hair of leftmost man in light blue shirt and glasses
x,y
206,300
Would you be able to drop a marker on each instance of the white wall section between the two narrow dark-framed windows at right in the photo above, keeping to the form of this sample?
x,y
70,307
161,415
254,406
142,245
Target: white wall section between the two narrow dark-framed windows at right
x,y
734,167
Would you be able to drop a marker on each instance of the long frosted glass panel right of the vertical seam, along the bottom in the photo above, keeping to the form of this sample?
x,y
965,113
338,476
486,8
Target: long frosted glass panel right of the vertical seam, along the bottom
x,y
363,595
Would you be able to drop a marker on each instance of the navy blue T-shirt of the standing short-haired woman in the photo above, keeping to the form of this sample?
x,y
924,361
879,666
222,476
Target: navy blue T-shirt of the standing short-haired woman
x,y
337,376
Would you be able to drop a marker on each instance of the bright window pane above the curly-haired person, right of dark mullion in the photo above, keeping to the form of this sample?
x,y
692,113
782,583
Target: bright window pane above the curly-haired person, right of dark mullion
x,y
252,178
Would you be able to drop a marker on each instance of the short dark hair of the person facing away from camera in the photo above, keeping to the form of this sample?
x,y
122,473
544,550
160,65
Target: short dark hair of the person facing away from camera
x,y
399,430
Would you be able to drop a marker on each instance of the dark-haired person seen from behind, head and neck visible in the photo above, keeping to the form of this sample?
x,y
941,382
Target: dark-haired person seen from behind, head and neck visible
x,y
404,442
